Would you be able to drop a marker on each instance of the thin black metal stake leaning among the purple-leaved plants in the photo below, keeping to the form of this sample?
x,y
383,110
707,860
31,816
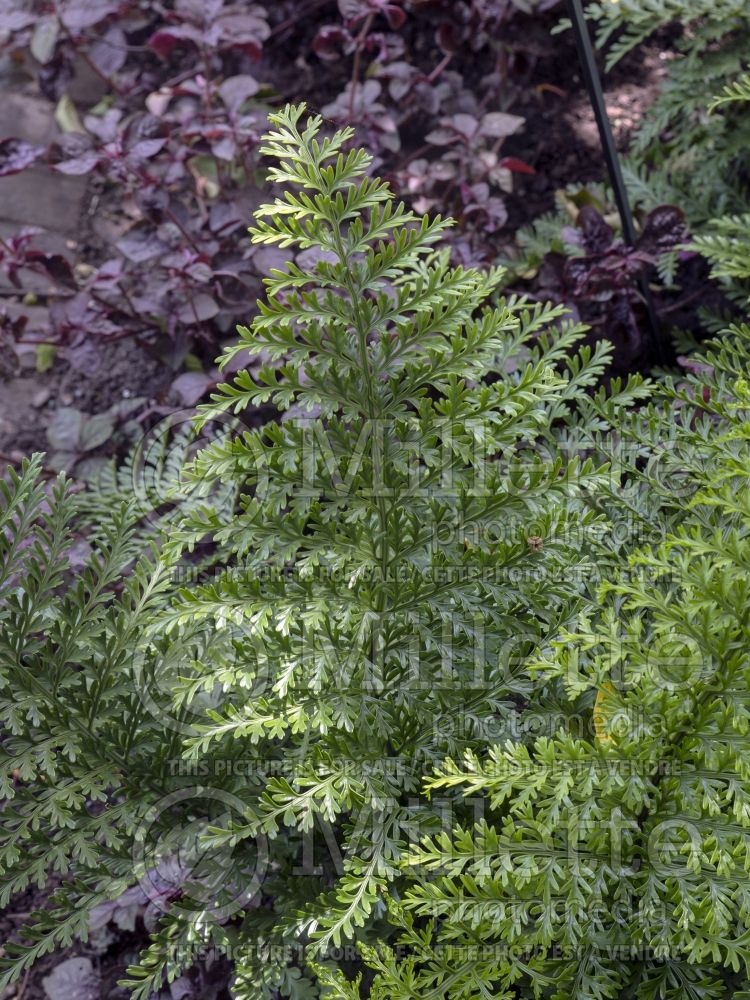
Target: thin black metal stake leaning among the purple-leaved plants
x,y
593,83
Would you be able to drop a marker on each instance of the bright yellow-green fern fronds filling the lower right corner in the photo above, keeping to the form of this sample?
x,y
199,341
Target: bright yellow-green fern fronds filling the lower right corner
x,y
615,864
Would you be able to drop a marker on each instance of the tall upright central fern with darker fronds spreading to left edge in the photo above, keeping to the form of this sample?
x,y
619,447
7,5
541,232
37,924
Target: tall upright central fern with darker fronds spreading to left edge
x,y
404,538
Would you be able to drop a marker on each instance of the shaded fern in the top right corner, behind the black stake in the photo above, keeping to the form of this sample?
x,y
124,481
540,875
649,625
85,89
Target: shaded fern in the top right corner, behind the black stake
x,y
681,153
